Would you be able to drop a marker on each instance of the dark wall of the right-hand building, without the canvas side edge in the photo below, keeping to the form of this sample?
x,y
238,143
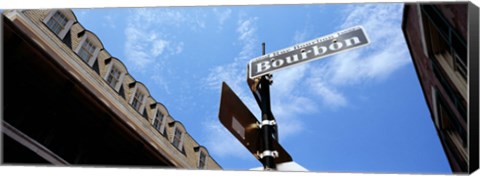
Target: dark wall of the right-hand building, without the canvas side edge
x,y
432,32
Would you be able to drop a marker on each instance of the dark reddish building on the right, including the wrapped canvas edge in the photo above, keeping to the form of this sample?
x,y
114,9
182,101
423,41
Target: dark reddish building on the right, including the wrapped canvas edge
x,y
441,38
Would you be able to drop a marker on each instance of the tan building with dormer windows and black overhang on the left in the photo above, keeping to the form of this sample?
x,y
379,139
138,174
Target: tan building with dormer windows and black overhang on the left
x,y
68,101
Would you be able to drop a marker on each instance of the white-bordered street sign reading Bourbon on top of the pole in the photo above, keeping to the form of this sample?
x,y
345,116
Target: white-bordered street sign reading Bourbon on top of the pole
x,y
308,51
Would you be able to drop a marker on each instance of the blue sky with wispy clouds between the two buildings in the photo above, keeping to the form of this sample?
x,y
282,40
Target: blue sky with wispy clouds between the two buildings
x,y
359,111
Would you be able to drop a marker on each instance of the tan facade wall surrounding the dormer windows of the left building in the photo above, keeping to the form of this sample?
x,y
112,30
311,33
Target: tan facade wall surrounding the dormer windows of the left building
x,y
32,20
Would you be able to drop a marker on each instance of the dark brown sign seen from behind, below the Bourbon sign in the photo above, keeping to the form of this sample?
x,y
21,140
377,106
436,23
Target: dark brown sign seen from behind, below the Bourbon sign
x,y
238,119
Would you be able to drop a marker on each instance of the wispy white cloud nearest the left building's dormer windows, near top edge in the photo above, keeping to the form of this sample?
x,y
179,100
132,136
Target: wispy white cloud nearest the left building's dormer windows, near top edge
x,y
146,43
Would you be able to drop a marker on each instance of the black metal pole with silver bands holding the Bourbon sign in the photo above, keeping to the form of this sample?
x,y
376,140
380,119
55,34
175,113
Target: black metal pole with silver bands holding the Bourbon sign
x,y
267,130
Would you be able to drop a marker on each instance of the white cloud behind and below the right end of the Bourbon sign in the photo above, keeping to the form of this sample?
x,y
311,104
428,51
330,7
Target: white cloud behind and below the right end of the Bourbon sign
x,y
383,56
